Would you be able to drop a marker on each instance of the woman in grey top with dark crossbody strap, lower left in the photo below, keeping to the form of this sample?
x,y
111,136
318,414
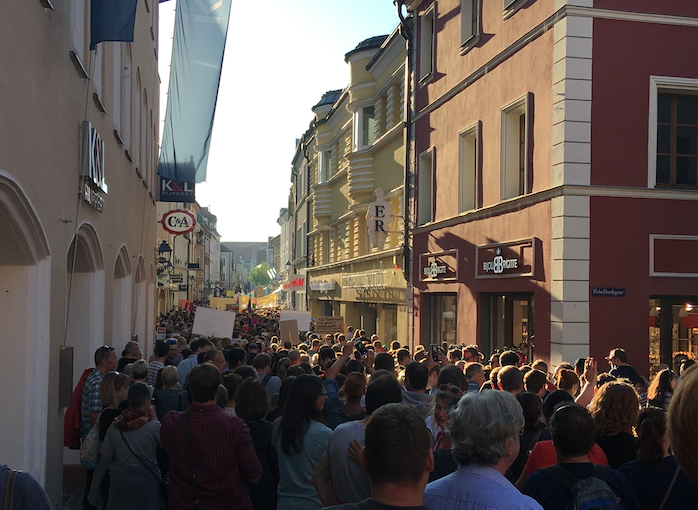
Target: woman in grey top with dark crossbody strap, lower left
x,y
129,452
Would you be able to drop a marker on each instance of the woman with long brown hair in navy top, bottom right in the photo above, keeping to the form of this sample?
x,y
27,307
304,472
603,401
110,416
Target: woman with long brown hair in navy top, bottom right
x,y
655,476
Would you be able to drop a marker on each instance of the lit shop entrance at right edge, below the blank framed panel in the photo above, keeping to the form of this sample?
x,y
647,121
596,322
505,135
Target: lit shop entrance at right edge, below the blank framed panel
x,y
673,330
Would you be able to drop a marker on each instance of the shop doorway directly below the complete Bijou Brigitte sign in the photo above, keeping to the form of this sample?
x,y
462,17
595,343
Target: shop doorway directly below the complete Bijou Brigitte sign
x,y
507,322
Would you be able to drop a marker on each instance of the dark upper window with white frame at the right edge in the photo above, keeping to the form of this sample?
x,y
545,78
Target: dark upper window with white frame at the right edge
x,y
677,140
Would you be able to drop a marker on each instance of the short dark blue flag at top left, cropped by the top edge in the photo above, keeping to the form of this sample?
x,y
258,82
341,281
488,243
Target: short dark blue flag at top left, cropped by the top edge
x,y
112,20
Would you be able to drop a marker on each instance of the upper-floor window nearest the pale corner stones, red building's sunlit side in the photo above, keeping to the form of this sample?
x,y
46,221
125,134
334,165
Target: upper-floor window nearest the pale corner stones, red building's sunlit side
x,y
515,149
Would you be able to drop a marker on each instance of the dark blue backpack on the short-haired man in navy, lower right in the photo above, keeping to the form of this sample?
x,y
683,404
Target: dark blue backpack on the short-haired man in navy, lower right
x,y
591,493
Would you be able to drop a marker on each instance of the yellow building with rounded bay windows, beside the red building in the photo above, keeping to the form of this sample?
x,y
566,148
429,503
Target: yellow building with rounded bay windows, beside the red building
x,y
354,147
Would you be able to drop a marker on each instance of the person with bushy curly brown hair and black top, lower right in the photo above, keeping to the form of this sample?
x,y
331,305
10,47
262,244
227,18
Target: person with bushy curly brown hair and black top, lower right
x,y
614,409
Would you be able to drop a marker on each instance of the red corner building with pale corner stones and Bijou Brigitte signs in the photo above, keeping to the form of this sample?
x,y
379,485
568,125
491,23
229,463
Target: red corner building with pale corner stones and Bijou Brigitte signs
x,y
556,176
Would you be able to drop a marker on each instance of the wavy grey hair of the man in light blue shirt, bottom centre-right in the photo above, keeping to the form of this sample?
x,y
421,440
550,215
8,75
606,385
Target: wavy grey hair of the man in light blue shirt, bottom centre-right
x,y
480,425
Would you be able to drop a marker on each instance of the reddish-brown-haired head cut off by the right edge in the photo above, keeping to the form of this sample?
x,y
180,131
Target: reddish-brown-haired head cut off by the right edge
x,y
682,419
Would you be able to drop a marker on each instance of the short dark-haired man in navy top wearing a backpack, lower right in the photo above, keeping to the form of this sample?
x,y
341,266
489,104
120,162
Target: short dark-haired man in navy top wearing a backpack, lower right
x,y
574,431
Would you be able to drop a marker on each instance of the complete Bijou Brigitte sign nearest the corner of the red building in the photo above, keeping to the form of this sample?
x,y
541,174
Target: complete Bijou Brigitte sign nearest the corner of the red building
x,y
505,260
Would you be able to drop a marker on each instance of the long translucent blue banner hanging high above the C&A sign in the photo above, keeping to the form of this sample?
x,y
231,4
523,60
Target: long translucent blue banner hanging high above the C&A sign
x,y
201,28
